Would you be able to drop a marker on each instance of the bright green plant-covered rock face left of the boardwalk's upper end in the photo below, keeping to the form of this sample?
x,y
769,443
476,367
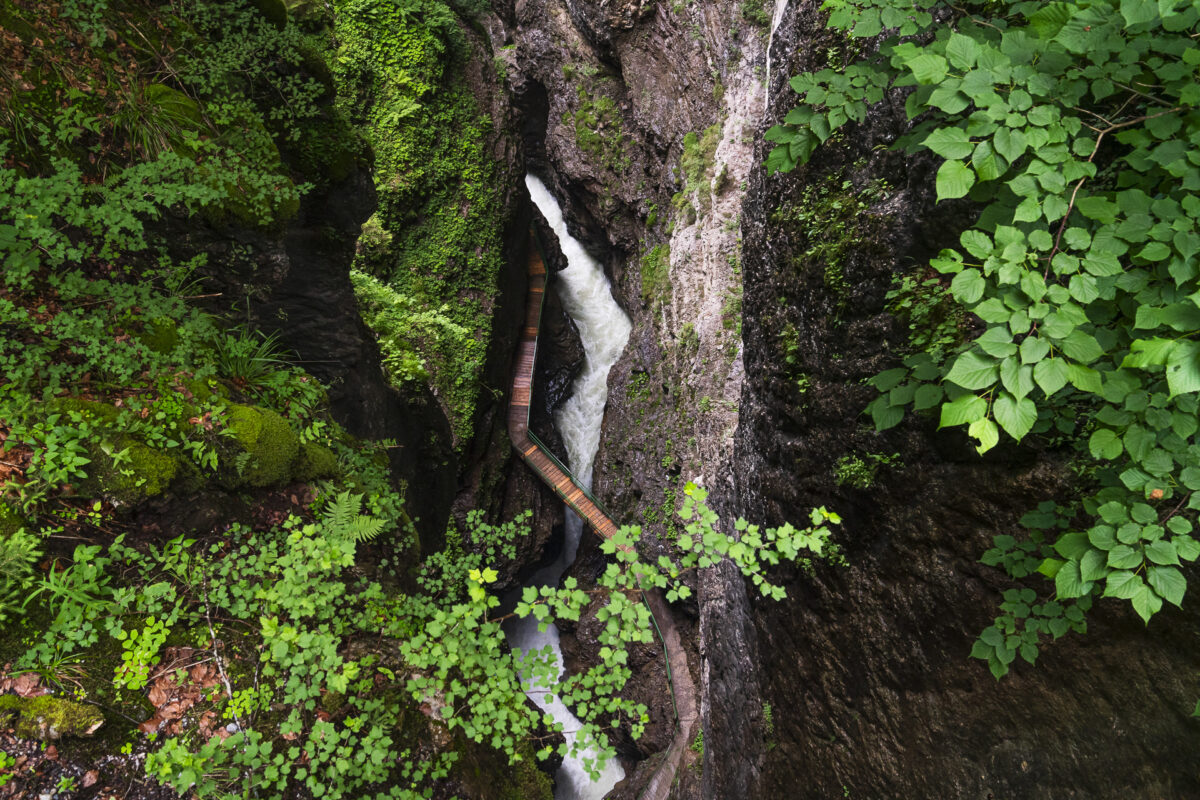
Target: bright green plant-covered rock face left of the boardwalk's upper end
x,y
435,248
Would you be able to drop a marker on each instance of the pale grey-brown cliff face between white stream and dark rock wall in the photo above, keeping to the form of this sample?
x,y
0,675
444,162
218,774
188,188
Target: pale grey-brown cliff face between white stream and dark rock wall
x,y
641,119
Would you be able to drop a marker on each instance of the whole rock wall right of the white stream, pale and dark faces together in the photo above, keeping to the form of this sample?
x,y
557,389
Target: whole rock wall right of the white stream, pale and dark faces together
x,y
806,693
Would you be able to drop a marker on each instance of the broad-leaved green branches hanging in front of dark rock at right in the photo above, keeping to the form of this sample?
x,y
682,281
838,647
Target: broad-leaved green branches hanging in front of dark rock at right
x,y
1073,131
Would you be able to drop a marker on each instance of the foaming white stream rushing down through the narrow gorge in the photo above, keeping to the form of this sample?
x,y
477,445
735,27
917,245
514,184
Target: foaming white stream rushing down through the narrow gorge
x,y
604,329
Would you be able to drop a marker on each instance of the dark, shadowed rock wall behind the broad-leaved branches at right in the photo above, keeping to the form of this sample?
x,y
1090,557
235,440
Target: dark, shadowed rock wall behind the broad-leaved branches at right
x,y
866,669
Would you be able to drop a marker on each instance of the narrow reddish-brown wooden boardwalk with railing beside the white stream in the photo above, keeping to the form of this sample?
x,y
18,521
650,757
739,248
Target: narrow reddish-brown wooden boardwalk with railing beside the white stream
x,y
550,470
